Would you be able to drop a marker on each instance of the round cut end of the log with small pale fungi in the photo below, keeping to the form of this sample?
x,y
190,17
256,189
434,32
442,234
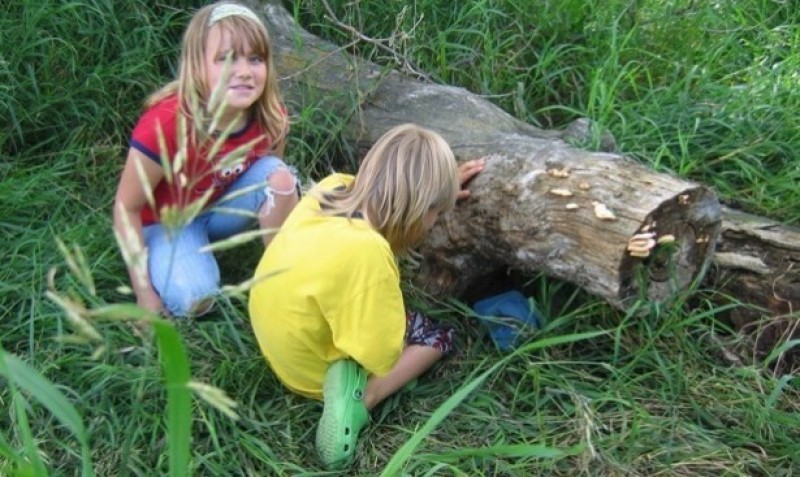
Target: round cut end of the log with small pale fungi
x,y
672,248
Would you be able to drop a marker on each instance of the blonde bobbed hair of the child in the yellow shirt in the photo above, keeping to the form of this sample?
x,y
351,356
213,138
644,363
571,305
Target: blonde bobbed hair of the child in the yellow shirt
x,y
409,172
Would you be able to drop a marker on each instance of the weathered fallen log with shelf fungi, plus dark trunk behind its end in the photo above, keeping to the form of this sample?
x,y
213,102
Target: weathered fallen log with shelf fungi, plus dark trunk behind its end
x,y
535,207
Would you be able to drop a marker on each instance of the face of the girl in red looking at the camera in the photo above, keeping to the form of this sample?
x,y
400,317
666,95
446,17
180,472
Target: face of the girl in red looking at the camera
x,y
247,74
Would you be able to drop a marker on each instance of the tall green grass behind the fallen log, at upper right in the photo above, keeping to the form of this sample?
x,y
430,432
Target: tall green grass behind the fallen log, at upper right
x,y
696,88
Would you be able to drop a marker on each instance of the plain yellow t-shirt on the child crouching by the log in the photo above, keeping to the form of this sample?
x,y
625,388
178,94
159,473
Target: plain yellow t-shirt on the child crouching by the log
x,y
328,288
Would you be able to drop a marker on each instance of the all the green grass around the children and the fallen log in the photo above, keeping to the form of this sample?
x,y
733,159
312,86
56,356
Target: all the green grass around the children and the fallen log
x,y
707,90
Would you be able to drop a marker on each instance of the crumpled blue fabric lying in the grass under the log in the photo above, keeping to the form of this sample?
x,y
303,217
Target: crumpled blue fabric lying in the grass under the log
x,y
507,316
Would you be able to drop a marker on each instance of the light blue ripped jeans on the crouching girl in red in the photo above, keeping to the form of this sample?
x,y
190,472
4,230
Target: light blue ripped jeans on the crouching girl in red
x,y
182,275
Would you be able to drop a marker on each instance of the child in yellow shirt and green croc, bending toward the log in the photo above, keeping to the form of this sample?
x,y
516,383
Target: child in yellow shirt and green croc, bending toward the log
x,y
327,309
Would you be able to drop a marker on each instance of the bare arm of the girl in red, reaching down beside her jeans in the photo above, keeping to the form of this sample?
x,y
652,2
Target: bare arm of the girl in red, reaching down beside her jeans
x,y
128,203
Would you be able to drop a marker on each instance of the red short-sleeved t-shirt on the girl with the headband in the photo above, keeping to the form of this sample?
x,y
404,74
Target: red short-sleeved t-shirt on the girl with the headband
x,y
197,174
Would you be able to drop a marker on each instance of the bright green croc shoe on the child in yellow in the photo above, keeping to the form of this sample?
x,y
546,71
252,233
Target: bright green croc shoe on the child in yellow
x,y
344,414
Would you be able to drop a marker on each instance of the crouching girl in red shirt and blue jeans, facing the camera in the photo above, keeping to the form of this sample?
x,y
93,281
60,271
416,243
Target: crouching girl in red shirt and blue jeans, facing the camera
x,y
205,162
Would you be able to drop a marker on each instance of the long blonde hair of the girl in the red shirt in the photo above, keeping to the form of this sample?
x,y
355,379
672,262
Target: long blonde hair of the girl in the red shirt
x,y
245,31
